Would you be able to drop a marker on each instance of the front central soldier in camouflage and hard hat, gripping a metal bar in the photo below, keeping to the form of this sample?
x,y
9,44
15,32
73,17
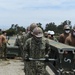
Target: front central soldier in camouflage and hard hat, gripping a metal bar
x,y
36,47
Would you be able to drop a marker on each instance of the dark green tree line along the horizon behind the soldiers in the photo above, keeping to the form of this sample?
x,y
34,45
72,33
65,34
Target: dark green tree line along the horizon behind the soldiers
x,y
58,29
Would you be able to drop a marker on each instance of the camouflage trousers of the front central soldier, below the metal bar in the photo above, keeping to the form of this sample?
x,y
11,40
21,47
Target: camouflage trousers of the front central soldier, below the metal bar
x,y
35,68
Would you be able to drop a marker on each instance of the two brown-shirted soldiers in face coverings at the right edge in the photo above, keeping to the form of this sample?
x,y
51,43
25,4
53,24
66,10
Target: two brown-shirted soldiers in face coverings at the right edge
x,y
68,37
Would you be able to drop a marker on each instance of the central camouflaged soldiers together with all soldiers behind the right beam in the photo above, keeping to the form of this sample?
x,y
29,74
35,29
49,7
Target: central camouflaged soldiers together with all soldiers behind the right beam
x,y
35,44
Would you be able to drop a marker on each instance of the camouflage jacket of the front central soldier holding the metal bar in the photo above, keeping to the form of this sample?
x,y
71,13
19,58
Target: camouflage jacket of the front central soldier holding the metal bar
x,y
37,50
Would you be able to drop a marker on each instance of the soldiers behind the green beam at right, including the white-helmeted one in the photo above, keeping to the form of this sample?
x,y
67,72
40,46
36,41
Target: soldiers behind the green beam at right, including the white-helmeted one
x,y
67,37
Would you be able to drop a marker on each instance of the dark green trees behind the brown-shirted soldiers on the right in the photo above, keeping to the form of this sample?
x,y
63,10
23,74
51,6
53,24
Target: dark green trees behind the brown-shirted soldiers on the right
x,y
58,29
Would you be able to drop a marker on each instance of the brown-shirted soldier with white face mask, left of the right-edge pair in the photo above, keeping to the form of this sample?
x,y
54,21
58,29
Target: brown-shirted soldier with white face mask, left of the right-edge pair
x,y
66,33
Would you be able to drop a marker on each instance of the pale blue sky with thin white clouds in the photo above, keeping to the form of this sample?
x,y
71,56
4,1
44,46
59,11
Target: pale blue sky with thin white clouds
x,y
25,12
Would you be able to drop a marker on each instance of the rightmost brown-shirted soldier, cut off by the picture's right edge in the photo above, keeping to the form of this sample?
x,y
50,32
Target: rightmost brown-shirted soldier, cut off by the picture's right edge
x,y
70,40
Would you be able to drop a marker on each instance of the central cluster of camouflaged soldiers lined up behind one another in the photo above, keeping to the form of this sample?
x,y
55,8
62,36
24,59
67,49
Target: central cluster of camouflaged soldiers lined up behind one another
x,y
34,46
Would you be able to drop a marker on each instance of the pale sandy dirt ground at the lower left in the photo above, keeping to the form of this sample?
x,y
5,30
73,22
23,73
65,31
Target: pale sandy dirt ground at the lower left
x,y
11,67
